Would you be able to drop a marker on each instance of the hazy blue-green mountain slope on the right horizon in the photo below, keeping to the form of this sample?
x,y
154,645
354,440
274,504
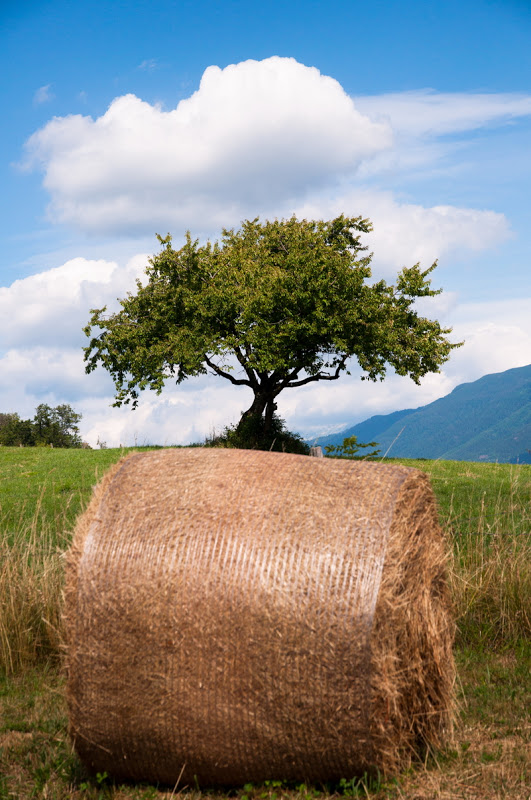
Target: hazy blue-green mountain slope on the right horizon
x,y
486,420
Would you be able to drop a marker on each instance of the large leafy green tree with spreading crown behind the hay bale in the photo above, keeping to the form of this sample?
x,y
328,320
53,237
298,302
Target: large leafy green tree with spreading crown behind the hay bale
x,y
274,306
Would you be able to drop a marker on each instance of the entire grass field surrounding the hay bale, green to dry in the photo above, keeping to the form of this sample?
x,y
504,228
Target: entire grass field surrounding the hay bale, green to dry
x,y
484,507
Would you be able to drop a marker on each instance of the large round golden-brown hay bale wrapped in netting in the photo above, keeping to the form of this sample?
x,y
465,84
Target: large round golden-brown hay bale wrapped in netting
x,y
237,616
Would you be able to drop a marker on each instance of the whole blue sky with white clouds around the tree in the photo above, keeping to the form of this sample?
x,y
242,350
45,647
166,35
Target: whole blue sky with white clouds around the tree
x,y
126,118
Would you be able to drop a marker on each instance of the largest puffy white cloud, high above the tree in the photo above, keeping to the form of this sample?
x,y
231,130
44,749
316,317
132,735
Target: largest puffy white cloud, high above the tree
x,y
253,135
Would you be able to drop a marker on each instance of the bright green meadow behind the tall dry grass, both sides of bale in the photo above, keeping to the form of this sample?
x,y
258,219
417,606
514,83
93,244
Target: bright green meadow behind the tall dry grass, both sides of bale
x,y
56,484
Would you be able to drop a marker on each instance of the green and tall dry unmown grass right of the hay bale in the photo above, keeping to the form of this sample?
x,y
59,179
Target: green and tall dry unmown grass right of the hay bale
x,y
486,509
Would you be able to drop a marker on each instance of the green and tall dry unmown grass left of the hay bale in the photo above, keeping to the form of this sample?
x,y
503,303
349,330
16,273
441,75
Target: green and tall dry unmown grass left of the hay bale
x,y
42,490
